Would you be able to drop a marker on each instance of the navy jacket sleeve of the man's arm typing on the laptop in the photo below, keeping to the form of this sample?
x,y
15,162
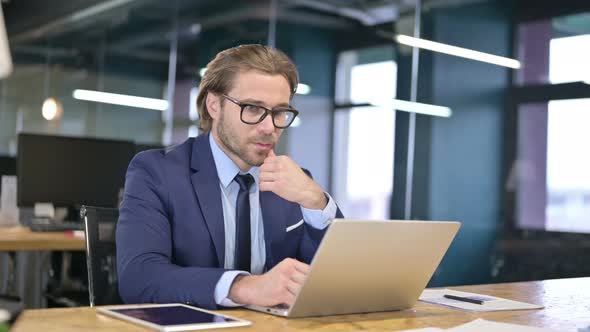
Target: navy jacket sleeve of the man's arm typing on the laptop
x,y
144,244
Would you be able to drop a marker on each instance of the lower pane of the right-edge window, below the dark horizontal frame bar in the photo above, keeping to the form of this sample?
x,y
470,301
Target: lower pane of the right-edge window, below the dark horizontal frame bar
x,y
552,168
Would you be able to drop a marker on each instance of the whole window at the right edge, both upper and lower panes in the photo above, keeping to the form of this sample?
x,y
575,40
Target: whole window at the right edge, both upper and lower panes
x,y
551,171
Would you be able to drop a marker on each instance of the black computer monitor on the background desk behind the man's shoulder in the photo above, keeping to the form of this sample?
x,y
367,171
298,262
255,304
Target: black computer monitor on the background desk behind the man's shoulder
x,y
69,172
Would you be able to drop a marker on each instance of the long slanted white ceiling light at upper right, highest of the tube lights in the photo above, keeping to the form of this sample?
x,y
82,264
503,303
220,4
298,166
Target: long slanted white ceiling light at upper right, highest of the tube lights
x,y
458,51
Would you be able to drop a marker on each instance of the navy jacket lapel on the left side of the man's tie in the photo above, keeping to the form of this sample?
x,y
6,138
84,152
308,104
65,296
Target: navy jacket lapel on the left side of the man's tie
x,y
205,182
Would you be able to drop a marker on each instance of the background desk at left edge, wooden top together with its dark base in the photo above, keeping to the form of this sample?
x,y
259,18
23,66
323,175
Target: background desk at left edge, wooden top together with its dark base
x,y
23,270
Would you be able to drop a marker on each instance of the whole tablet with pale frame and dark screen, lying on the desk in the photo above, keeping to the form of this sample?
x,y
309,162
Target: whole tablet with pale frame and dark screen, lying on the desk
x,y
172,317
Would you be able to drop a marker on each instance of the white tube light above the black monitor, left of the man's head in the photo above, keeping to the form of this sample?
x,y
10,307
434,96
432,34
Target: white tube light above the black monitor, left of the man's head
x,y
118,99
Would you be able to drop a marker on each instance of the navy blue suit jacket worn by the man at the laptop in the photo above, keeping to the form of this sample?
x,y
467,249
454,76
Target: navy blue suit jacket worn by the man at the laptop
x,y
170,234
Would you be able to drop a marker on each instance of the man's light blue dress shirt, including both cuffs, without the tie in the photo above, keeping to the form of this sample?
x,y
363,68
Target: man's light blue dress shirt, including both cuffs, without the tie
x,y
226,171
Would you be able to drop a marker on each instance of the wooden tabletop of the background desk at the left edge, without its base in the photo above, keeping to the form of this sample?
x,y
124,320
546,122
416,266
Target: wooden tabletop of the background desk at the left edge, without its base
x,y
22,239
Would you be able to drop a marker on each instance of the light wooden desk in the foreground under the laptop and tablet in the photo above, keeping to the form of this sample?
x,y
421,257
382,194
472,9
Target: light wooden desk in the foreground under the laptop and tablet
x,y
566,301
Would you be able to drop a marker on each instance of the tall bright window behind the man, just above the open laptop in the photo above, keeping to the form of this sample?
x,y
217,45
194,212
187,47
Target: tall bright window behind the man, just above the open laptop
x,y
364,138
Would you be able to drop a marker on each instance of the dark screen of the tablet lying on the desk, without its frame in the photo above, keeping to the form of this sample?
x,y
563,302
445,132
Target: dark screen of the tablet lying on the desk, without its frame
x,y
173,315
